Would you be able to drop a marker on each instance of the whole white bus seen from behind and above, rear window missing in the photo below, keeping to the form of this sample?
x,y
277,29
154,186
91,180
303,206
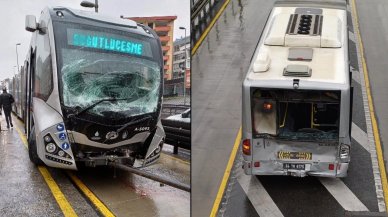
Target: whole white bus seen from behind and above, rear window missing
x,y
297,95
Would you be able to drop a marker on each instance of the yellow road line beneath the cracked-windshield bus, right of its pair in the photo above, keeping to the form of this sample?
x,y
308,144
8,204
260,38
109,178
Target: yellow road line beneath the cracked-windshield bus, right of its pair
x,y
89,194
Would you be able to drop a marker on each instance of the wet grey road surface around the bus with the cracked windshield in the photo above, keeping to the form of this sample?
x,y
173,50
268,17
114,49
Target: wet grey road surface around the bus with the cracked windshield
x,y
23,191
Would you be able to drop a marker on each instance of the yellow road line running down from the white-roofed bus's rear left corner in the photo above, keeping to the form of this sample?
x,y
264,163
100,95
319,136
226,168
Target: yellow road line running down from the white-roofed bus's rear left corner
x,y
224,181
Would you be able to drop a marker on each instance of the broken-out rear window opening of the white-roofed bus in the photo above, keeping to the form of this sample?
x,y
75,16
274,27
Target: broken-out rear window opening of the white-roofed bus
x,y
296,115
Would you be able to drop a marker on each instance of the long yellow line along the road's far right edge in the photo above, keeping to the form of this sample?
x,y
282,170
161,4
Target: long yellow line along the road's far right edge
x,y
375,127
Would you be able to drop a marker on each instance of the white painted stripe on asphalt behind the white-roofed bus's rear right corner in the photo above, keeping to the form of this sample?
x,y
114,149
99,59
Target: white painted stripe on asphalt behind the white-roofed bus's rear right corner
x,y
343,194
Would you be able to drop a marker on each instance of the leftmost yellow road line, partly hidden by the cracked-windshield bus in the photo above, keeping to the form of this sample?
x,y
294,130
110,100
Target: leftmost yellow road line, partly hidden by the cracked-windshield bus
x,y
63,203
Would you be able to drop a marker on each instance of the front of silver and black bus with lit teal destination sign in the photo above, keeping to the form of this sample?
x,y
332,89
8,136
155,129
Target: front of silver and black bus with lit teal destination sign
x,y
94,90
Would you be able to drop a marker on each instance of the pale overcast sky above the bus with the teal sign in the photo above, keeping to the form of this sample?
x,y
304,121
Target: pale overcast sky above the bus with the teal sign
x,y
13,12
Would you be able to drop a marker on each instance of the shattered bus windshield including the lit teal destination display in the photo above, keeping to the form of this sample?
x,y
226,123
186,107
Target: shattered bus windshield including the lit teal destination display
x,y
93,70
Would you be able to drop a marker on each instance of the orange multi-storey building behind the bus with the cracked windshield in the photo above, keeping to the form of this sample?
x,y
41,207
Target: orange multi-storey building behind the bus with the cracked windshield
x,y
164,27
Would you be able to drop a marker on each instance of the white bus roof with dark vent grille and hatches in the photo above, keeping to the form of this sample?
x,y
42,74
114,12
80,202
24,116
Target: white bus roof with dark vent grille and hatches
x,y
308,43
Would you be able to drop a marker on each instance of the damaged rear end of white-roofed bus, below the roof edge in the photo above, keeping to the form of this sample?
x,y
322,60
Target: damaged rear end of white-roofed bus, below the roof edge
x,y
296,132
